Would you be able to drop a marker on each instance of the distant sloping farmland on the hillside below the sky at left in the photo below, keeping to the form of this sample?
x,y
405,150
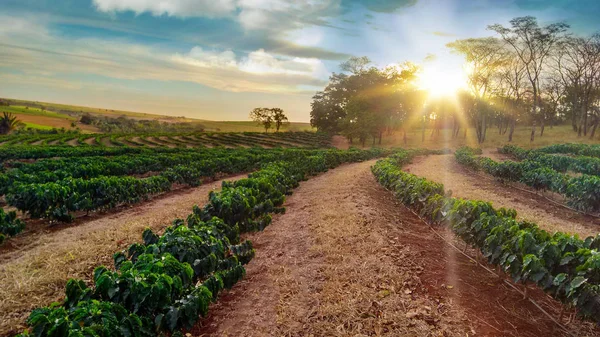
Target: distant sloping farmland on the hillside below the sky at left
x,y
62,115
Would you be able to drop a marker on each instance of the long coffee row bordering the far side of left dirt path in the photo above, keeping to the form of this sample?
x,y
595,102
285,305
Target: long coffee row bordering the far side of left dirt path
x,y
58,200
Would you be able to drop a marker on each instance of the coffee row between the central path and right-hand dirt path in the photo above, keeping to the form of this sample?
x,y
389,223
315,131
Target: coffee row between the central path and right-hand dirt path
x,y
563,265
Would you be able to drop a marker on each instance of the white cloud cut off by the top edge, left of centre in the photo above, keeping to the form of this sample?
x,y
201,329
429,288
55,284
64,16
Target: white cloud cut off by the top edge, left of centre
x,y
180,8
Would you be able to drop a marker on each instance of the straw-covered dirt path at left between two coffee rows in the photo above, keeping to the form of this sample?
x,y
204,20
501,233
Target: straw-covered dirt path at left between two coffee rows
x,y
36,274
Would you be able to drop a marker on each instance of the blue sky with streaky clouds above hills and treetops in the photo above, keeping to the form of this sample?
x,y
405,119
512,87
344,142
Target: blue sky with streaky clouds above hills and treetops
x,y
219,59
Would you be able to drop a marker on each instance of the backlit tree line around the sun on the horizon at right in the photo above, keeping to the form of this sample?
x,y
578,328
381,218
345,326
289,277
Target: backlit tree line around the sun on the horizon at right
x,y
526,74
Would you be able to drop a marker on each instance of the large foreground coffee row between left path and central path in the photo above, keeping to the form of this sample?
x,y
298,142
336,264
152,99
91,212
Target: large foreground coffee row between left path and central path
x,y
167,282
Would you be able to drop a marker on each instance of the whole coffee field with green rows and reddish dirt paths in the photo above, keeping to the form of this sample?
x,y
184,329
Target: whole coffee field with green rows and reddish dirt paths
x,y
242,233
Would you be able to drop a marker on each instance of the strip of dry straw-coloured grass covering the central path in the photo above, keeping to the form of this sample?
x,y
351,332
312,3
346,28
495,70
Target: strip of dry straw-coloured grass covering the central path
x,y
328,267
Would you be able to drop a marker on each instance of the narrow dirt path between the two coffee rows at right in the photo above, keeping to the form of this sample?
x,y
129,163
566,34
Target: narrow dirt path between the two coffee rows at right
x,y
466,184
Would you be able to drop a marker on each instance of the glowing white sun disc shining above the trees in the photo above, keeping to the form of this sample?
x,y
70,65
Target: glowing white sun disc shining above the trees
x,y
441,82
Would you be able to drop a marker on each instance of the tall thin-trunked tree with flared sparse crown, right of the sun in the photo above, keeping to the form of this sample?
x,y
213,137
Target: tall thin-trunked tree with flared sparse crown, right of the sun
x,y
532,45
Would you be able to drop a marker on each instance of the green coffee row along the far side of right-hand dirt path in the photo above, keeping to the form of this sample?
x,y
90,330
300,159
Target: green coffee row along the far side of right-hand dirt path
x,y
581,192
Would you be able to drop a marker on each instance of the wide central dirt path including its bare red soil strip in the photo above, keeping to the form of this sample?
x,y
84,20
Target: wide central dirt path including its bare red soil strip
x,y
347,260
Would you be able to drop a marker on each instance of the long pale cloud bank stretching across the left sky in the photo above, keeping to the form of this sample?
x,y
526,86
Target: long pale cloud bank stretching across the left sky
x,y
30,48
